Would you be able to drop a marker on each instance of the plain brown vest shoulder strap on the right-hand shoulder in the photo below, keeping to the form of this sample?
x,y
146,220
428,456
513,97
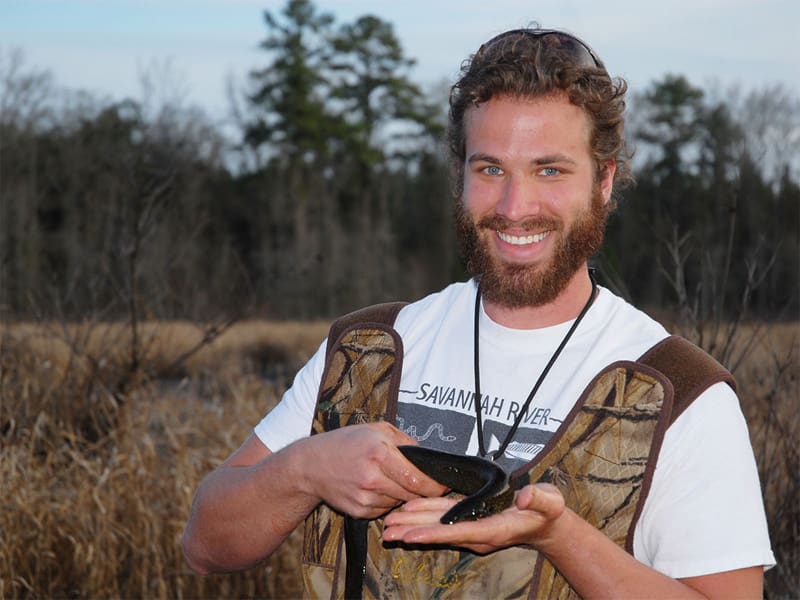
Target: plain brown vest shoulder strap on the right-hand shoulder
x,y
690,369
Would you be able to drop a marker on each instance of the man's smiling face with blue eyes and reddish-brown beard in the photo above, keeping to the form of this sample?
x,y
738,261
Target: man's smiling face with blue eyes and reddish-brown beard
x,y
532,210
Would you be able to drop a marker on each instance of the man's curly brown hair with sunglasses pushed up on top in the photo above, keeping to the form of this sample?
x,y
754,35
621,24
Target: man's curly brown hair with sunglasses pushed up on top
x,y
534,62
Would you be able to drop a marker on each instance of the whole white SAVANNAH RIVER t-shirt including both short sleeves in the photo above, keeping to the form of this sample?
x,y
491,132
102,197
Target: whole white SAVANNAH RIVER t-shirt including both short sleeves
x,y
690,524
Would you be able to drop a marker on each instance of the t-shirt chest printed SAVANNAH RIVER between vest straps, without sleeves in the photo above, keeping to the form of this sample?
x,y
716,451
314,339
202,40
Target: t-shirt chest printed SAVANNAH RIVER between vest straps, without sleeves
x,y
437,391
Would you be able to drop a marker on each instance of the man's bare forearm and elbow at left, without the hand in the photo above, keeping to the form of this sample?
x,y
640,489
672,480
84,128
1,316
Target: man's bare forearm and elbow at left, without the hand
x,y
241,514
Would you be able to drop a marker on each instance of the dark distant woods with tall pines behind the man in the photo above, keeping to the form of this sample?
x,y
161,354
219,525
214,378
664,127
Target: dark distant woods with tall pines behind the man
x,y
331,191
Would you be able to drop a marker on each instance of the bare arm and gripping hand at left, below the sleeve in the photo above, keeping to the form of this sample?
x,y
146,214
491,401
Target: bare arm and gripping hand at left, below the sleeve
x,y
245,509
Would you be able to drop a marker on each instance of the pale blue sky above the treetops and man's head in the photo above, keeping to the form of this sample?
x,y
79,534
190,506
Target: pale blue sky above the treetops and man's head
x,y
103,45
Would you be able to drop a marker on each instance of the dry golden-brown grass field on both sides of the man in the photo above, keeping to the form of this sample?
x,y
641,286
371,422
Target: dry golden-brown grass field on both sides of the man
x,y
104,437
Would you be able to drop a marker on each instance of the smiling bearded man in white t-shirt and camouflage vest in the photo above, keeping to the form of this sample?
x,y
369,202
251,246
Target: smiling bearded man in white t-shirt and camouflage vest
x,y
536,138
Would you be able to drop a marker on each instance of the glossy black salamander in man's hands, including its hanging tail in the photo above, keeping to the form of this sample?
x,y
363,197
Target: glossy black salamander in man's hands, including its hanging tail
x,y
483,482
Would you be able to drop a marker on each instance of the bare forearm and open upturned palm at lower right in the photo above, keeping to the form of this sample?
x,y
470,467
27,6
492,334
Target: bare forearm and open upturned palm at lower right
x,y
593,564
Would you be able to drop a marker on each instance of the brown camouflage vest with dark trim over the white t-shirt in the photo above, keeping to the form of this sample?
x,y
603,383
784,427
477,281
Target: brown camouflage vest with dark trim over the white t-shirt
x,y
602,460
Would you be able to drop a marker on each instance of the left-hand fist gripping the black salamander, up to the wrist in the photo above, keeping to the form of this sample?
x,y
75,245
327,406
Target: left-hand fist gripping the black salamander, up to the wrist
x,y
358,470
